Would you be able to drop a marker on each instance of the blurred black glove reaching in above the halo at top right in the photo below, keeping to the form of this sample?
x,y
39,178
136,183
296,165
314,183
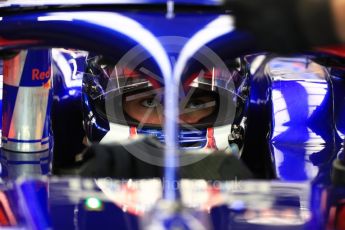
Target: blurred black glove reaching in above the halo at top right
x,y
285,26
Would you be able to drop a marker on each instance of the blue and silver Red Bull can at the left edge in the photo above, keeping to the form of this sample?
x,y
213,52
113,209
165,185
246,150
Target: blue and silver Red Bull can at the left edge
x,y
36,72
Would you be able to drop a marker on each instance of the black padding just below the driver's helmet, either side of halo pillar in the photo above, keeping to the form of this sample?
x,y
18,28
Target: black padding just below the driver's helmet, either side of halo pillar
x,y
116,162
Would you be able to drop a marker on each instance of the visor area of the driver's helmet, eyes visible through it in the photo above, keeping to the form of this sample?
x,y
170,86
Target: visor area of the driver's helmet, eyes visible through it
x,y
135,97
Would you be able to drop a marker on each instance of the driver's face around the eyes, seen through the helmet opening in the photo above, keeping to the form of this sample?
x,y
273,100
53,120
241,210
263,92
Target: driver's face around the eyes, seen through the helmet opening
x,y
147,108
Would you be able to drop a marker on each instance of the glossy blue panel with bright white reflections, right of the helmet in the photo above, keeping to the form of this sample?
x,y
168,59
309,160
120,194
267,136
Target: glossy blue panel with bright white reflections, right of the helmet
x,y
303,134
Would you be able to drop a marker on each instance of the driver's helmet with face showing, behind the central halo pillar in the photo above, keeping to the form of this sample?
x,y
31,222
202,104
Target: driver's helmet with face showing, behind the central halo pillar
x,y
122,102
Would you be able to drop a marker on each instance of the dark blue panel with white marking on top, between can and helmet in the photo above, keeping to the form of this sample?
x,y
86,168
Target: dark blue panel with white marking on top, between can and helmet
x,y
68,67
